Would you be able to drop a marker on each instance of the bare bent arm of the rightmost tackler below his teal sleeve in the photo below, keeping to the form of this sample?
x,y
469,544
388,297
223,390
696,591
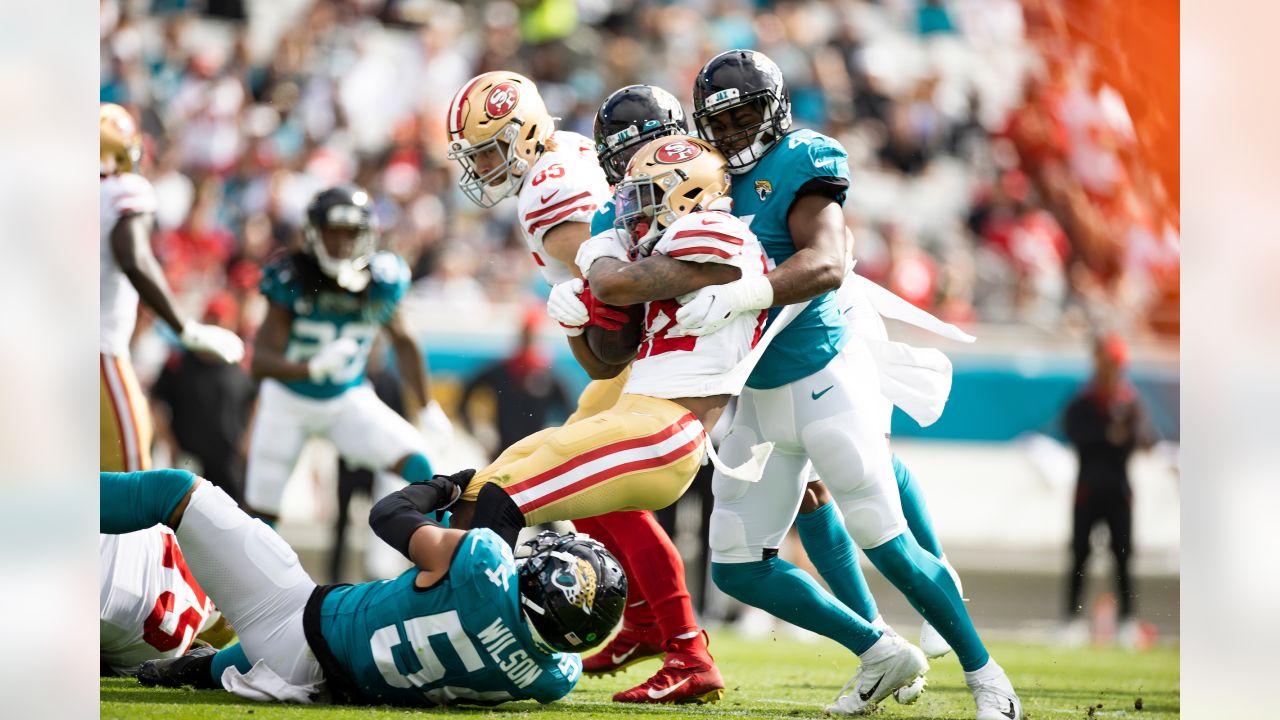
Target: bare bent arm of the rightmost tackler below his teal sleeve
x,y
817,226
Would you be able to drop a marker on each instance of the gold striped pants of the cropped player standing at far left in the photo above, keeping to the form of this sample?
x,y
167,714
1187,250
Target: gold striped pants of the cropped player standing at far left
x,y
125,420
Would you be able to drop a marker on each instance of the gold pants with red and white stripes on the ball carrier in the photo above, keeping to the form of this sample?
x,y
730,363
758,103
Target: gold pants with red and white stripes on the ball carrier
x,y
641,454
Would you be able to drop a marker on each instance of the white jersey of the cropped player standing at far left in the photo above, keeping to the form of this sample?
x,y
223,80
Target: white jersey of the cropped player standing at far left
x,y
118,303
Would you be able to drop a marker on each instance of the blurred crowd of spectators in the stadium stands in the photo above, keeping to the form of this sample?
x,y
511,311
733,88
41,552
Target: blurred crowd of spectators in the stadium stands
x,y
1007,163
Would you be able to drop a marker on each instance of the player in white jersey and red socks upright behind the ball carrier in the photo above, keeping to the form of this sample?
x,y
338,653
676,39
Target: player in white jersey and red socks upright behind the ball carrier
x,y
508,144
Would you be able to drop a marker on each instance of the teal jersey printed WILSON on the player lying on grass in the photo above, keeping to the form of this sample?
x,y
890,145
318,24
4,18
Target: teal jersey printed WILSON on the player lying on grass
x,y
463,640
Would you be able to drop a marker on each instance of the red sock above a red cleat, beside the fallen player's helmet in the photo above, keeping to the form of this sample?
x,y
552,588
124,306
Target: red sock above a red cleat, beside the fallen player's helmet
x,y
656,577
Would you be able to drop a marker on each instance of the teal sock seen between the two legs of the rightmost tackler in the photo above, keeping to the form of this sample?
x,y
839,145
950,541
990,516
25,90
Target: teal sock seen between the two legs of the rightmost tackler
x,y
833,553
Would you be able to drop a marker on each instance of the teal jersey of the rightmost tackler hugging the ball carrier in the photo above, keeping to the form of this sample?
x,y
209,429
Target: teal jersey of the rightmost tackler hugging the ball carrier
x,y
762,198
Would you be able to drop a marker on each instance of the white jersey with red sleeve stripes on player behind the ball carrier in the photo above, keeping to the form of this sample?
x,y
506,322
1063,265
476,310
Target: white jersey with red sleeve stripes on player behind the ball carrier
x,y
565,186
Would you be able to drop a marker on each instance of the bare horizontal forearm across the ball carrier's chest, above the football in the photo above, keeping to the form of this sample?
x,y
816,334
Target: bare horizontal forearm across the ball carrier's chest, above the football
x,y
656,277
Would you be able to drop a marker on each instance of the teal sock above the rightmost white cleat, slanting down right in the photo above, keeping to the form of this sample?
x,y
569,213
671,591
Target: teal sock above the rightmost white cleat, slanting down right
x,y
931,591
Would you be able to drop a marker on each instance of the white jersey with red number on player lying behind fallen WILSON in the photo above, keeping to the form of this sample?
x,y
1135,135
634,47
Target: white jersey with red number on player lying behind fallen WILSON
x,y
150,605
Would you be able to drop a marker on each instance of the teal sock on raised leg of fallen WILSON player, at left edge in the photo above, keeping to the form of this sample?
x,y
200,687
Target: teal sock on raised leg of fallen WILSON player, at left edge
x,y
136,502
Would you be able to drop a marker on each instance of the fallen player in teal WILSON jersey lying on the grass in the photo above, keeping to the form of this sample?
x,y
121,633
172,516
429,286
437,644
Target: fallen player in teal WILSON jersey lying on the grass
x,y
468,625
